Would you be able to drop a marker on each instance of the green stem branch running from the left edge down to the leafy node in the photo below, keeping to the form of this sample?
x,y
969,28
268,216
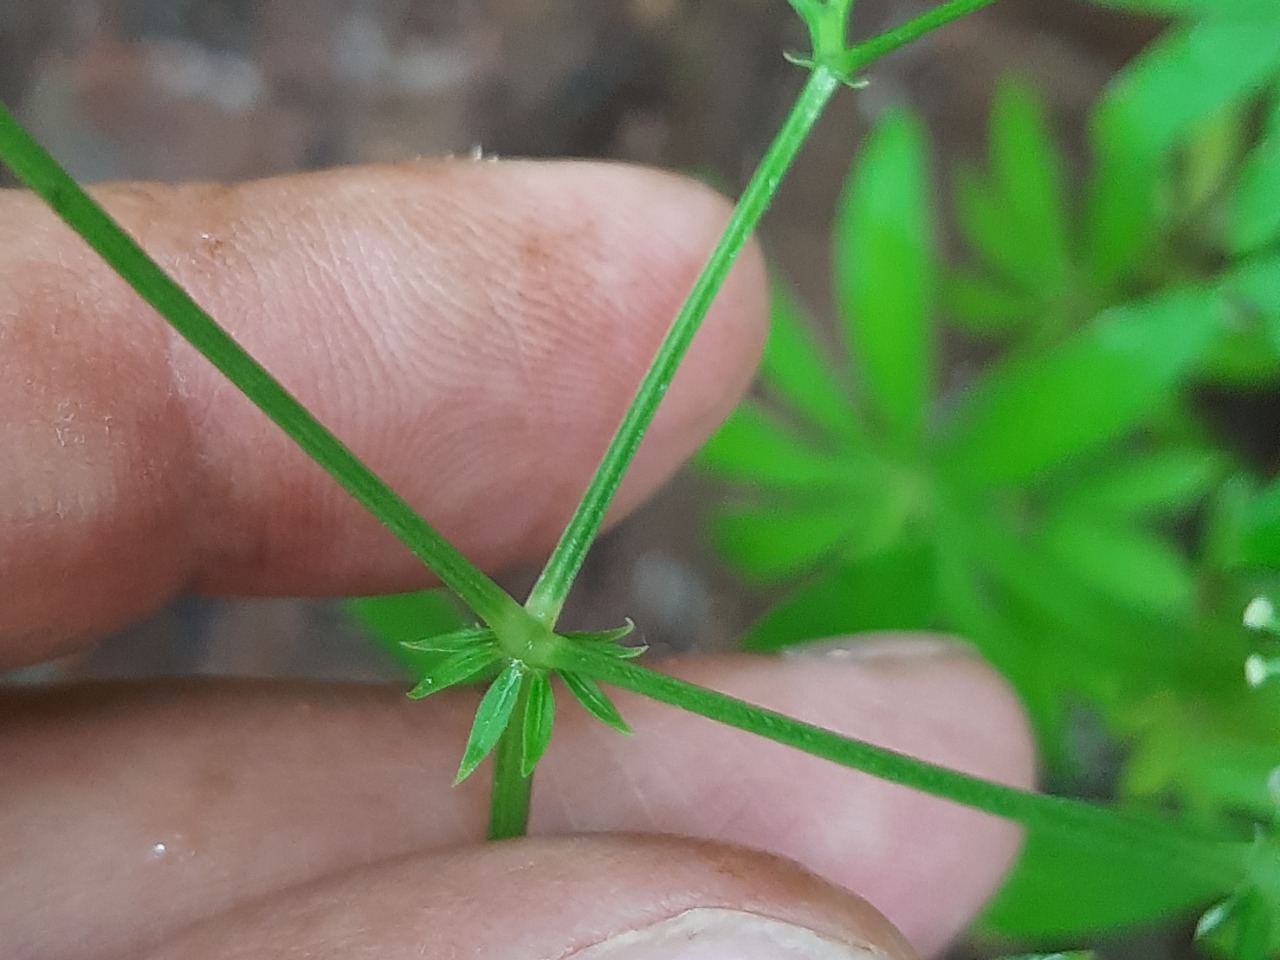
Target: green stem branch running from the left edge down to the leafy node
x,y
42,173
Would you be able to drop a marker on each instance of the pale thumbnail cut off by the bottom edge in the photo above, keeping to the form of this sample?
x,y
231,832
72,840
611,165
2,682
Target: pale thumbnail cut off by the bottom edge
x,y
719,934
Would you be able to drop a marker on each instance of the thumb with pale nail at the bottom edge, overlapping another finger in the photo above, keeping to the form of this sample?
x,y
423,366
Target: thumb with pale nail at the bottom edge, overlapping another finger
x,y
584,899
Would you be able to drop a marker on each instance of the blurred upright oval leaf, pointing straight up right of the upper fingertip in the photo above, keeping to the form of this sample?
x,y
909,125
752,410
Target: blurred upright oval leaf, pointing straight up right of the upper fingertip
x,y
885,276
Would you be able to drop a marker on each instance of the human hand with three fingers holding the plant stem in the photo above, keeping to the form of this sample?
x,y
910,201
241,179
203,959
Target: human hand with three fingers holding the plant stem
x,y
474,332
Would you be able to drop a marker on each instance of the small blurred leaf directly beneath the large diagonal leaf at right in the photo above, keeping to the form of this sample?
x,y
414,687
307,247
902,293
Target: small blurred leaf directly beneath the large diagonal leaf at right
x,y
1167,482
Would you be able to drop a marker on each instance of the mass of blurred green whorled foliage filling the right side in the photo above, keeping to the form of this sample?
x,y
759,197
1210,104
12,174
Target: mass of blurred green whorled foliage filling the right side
x,y
1068,506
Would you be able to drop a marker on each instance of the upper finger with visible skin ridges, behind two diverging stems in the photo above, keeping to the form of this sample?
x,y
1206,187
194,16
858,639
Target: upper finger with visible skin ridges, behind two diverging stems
x,y
473,331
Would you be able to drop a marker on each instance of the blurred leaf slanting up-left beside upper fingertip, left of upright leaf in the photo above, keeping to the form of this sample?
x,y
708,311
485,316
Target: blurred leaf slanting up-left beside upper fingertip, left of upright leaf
x,y
794,369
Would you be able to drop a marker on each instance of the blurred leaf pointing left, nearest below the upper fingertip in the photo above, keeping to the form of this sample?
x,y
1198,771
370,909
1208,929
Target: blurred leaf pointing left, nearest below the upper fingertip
x,y
752,447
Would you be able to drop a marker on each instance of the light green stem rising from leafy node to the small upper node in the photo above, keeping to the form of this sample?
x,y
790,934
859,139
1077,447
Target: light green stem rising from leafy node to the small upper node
x,y
548,596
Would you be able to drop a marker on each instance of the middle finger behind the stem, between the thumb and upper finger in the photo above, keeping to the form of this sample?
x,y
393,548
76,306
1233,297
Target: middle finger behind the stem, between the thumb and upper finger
x,y
208,797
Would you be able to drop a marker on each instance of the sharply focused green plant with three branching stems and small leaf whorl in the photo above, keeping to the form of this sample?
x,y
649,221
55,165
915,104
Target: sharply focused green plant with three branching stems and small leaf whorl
x,y
520,643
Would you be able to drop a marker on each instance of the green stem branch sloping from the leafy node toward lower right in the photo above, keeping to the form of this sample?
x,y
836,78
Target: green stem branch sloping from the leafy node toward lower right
x,y
1215,862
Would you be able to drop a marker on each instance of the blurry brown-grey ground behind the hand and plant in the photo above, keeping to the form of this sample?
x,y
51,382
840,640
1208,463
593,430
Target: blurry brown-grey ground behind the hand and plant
x,y
237,89
